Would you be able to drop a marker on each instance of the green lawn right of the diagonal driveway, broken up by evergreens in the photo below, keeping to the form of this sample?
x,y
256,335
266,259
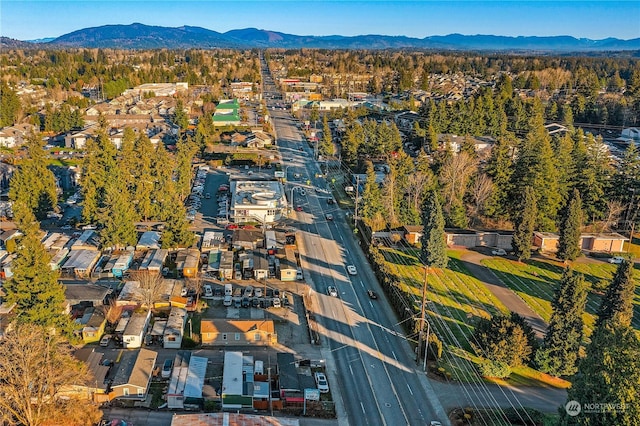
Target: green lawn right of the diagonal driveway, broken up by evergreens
x,y
535,281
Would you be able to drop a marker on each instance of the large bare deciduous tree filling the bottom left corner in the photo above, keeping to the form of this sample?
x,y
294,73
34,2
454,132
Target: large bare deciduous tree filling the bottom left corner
x,y
37,369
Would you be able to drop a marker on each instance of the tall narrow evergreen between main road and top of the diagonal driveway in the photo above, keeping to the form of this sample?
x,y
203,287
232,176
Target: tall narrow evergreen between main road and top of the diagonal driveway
x,y
433,239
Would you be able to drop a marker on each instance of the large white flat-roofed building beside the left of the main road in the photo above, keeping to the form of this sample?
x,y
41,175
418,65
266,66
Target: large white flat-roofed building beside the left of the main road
x,y
257,201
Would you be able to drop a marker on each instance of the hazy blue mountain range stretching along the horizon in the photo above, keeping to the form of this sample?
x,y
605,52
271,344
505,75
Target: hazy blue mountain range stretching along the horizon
x,y
140,36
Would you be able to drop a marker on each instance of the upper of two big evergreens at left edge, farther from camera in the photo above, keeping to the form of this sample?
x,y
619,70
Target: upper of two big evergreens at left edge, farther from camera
x,y
33,184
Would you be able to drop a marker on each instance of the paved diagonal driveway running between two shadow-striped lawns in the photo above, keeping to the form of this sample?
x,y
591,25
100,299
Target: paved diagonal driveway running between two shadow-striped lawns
x,y
513,302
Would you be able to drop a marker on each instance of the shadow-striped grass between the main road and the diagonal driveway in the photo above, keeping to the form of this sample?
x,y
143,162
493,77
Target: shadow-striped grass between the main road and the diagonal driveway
x,y
456,300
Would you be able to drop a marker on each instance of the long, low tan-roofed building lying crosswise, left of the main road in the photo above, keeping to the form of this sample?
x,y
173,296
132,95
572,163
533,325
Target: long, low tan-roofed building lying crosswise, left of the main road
x,y
217,332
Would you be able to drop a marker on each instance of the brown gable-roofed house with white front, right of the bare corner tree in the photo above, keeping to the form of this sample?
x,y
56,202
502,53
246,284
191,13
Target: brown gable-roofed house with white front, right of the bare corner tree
x,y
134,375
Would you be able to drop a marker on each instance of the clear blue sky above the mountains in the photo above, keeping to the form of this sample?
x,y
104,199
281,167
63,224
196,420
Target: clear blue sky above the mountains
x,y
27,20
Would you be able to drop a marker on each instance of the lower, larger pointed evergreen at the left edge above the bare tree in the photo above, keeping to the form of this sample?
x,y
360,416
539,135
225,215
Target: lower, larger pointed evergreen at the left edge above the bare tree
x,y
34,286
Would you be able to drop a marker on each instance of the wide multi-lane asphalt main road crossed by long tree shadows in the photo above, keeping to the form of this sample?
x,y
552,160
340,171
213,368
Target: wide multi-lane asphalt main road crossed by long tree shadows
x,y
372,362
